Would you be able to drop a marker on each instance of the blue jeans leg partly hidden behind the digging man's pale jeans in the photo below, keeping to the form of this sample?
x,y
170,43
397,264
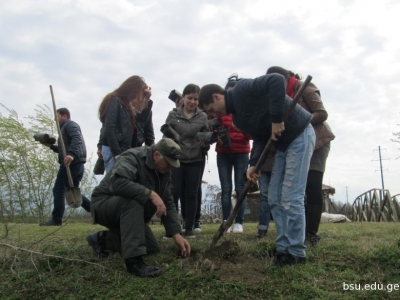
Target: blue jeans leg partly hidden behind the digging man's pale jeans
x,y
264,211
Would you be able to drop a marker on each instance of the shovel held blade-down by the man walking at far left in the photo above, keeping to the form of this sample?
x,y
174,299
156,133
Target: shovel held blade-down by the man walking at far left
x,y
73,195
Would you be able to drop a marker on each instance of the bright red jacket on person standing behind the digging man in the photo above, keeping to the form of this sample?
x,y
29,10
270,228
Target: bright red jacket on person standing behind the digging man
x,y
239,140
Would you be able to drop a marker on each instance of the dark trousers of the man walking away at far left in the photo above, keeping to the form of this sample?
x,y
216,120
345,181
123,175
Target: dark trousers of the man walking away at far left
x,y
61,184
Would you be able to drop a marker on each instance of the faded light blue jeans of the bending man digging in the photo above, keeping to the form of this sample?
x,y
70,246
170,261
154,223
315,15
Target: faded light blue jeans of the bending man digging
x,y
286,193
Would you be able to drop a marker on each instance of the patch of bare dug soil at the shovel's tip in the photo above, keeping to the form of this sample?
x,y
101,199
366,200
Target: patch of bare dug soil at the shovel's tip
x,y
229,263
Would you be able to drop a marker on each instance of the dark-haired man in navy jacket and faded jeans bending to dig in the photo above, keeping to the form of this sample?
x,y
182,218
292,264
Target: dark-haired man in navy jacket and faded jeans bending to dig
x,y
258,107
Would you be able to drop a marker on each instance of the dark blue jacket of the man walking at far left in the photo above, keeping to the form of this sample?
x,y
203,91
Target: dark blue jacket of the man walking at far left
x,y
73,142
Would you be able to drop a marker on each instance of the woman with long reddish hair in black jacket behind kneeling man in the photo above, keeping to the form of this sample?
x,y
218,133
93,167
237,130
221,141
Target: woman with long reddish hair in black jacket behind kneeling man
x,y
123,126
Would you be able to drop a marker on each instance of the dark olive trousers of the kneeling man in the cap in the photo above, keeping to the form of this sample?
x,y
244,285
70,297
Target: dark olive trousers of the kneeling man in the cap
x,y
126,219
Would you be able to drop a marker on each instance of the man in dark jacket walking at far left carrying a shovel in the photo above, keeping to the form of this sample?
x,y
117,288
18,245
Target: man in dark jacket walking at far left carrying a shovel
x,y
75,159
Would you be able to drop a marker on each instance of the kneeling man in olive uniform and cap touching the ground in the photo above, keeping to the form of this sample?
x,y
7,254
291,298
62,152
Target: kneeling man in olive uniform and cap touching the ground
x,y
136,188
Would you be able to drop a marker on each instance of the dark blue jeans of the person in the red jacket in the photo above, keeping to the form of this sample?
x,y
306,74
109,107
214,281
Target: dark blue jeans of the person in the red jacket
x,y
225,162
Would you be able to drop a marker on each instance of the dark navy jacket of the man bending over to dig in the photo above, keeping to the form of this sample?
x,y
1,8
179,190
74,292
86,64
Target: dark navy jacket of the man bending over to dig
x,y
257,103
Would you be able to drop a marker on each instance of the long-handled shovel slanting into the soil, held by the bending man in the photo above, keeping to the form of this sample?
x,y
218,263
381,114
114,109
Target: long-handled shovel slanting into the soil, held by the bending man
x,y
225,225
